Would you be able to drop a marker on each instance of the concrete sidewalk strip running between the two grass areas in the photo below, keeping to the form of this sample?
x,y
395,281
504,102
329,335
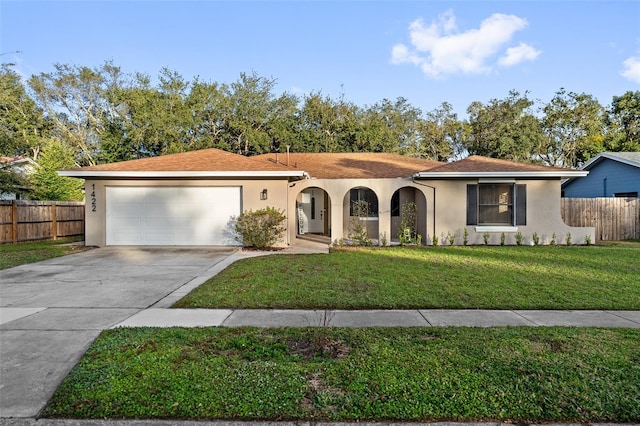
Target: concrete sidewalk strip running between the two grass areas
x,y
378,318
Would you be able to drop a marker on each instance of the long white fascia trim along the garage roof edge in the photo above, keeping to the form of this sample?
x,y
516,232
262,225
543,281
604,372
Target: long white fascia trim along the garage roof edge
x,y
177,174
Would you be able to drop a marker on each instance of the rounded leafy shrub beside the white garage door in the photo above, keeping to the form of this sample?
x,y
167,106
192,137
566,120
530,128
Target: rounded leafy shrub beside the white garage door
x,y
261,228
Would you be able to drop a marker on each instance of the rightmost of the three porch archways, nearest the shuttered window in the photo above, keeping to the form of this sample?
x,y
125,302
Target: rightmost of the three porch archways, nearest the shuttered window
x,y
405,202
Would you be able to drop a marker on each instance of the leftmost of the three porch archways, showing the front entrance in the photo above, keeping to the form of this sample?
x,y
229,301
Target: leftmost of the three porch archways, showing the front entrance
x,y
313,212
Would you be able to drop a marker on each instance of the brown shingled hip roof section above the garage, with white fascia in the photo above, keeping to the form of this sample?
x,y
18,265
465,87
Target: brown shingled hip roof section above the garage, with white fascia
x,y
210,162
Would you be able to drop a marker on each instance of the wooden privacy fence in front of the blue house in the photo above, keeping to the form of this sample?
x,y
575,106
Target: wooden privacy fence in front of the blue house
x,y
613,218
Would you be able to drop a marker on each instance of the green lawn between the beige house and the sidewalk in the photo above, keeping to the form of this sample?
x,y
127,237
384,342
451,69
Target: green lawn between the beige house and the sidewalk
x,y
543,277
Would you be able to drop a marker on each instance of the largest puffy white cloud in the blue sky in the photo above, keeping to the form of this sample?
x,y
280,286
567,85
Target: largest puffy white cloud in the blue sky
x,y
440,48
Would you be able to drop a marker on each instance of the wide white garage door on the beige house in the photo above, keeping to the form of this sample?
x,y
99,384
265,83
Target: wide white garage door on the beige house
x,y
149,216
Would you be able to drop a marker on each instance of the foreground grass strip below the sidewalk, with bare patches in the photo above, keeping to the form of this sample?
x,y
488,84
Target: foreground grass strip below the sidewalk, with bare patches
x,y
521,374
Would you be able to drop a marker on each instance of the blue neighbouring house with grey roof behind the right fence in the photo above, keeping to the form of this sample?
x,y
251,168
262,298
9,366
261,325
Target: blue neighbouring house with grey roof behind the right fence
x,y
611,174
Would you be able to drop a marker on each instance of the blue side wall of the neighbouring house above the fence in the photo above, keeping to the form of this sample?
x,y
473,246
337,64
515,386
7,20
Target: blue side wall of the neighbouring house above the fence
x,y
605,178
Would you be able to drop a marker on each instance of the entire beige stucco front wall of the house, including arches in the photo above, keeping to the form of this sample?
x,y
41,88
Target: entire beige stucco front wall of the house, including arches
x,y
442,206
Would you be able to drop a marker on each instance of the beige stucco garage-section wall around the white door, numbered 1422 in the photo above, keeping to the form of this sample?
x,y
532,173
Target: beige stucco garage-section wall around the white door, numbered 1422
x,y
95,224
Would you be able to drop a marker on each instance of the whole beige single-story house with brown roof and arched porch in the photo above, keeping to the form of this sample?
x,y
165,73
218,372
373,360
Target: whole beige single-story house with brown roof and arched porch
x,y
191,198
